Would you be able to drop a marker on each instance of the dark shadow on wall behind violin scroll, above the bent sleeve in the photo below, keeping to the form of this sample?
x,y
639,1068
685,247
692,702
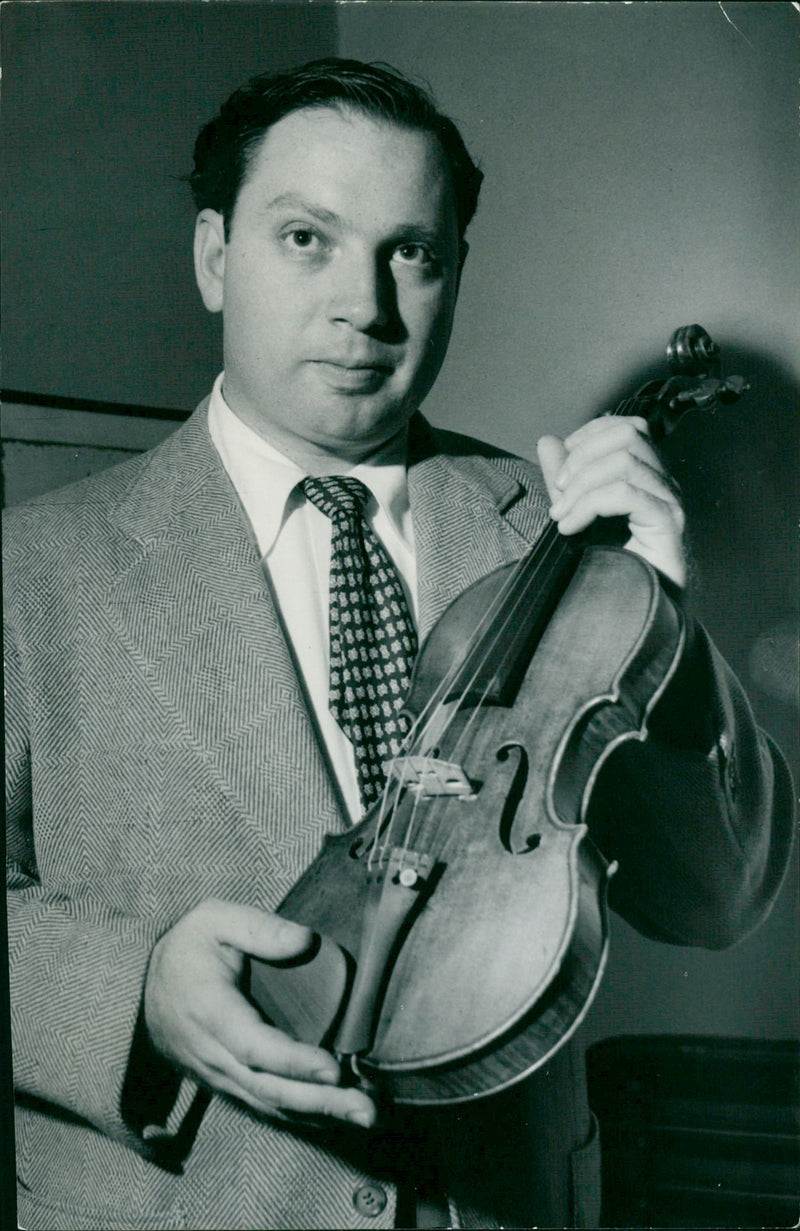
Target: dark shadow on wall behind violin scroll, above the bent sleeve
x,y
737,467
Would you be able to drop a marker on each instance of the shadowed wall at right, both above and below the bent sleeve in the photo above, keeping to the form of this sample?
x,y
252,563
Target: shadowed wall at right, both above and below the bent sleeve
x,y
737,467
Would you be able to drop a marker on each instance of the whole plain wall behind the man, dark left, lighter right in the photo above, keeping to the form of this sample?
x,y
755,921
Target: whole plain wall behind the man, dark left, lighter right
x,y
641,175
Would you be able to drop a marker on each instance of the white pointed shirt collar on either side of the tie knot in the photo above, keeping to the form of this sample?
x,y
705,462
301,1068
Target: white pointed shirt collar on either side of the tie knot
x,y
265,478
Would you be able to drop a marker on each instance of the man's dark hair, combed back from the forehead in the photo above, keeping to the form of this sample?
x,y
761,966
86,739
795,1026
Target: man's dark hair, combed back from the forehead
x,y
226,145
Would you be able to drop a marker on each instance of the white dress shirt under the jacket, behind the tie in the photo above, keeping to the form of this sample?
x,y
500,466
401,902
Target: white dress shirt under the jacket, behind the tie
x,y
295,540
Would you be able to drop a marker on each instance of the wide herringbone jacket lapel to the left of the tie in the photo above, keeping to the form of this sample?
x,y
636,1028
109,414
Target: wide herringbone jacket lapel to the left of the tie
x,y
194,606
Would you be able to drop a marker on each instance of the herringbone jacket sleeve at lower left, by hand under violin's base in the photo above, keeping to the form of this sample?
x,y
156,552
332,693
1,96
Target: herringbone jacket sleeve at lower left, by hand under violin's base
x,y
77,974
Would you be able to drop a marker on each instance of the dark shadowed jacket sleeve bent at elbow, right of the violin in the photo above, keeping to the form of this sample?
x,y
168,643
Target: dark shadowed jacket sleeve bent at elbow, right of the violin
x,y
700,816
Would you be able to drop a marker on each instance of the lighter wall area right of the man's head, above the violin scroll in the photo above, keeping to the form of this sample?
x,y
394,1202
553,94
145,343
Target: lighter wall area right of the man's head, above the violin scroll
x,y
641,168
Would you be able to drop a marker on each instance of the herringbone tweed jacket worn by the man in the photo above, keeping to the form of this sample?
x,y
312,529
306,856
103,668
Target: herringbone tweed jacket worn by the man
x,y
161,753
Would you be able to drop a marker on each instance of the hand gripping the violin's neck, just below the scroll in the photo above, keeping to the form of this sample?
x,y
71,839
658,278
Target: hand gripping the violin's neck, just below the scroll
x,y
610,468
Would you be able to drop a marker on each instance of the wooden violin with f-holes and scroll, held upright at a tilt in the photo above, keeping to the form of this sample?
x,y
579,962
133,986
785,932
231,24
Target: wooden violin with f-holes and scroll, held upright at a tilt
x,y
462,925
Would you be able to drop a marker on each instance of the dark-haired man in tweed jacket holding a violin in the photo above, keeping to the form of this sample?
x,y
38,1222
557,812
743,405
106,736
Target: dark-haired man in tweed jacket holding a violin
x,y
175,760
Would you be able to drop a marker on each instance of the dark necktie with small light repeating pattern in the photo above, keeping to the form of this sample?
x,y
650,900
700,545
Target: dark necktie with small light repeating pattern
x,y
372,636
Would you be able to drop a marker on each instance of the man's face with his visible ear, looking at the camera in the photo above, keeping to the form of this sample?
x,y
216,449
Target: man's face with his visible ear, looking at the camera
x,y
338,284
